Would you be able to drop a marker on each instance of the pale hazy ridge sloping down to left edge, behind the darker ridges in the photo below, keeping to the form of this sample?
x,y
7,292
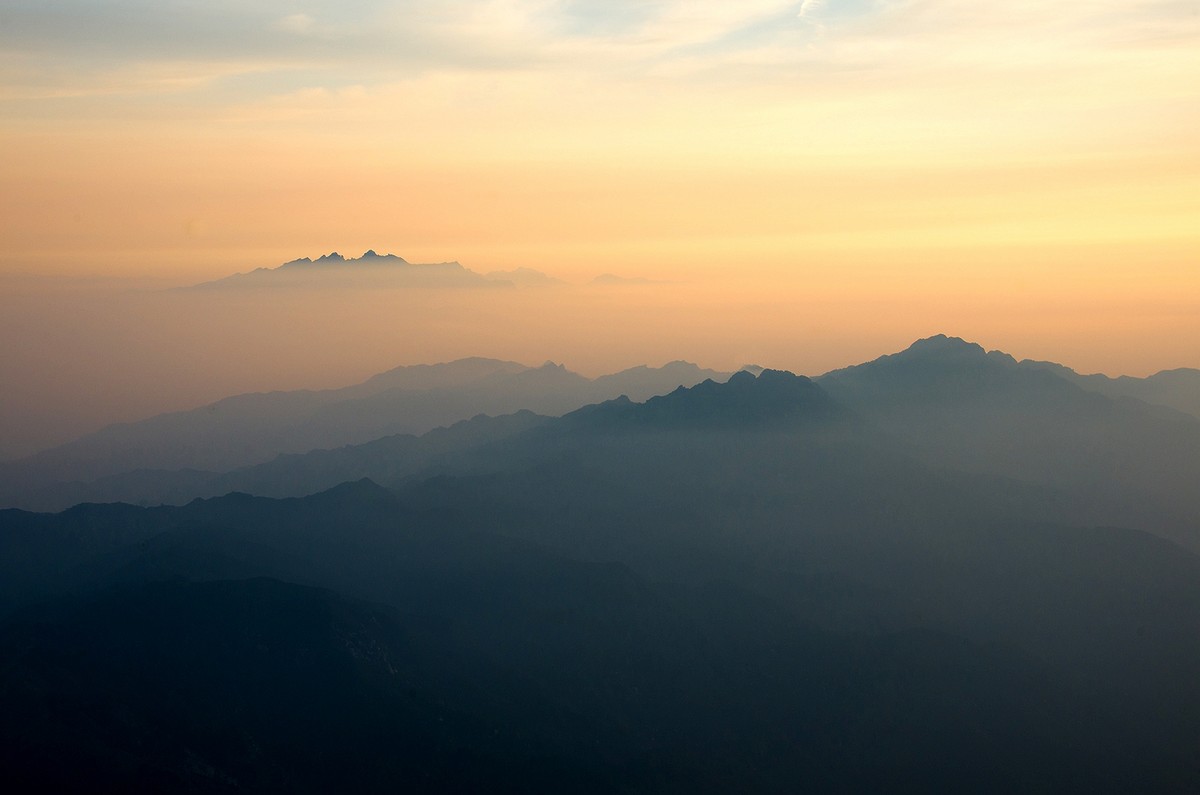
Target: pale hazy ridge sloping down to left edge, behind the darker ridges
x,y
255,428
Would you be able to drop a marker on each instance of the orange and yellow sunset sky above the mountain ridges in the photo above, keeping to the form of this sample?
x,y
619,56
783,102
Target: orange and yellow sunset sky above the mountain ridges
x,y
831,180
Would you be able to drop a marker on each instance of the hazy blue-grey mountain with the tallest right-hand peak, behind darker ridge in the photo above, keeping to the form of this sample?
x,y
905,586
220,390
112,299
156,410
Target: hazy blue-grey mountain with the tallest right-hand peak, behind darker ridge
x,y
963,408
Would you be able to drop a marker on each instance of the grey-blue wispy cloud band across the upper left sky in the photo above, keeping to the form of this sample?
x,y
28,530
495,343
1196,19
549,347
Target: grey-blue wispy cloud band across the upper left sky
x,y
375,40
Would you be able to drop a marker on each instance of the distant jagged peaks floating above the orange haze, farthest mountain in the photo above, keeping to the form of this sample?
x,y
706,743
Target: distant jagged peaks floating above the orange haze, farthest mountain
x,y
374,271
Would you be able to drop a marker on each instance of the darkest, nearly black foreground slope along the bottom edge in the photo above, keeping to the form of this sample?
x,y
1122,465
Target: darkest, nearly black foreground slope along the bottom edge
x,y
259,685
